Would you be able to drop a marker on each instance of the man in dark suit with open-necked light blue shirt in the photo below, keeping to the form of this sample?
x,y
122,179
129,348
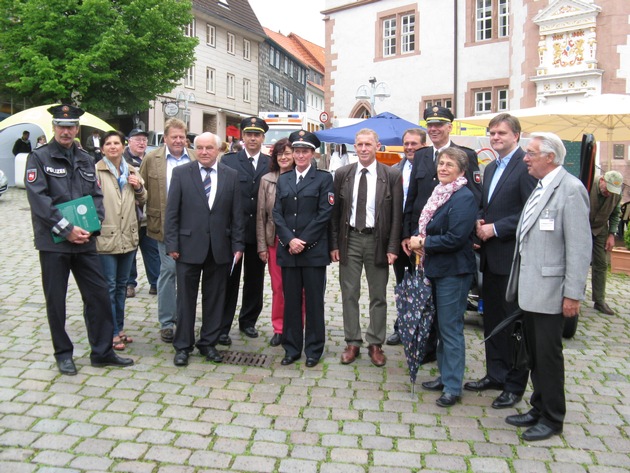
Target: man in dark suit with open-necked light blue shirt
x,y
506,188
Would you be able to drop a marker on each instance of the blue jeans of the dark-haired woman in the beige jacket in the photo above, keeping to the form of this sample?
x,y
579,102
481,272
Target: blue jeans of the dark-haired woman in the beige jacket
x,y
116,271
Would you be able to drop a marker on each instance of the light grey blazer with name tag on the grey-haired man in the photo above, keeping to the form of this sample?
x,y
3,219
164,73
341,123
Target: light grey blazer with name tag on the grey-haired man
x,y
553,264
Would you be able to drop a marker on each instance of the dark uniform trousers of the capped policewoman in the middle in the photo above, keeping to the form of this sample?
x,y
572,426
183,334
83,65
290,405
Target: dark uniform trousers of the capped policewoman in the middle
x,y
310,283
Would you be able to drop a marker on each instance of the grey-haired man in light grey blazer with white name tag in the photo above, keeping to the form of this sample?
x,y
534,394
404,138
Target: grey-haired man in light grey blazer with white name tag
x,y
548,278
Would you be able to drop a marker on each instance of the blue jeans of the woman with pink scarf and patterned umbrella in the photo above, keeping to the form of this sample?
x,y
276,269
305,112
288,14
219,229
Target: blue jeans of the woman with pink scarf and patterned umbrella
x,y
450,301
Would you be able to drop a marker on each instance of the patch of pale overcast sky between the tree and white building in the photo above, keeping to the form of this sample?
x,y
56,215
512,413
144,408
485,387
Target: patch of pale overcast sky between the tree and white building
x,y
301,17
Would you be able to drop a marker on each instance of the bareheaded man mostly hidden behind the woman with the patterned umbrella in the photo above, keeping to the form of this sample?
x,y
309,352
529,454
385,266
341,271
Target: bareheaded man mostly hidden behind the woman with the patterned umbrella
x,y
413,140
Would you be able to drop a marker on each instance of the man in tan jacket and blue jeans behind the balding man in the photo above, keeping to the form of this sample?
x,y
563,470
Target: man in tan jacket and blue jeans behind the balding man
x,y
156,170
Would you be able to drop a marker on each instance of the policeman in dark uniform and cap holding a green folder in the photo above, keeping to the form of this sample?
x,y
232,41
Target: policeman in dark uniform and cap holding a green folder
x,y
56,174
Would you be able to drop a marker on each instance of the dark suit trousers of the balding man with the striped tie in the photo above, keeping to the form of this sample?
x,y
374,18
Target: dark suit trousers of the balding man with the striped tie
x,y
213,283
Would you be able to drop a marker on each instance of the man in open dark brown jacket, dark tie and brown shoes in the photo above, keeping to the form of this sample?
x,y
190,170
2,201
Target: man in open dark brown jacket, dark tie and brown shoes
x,y
365,233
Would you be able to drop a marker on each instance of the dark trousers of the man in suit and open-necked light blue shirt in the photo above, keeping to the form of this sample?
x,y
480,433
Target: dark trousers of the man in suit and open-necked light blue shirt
x,y
499,348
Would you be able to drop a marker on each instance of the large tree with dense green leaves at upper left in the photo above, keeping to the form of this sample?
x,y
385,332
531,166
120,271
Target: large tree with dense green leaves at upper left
x,y
101,54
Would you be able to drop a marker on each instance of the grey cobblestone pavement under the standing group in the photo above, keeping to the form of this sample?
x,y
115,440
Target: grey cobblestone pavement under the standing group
x,y
154,417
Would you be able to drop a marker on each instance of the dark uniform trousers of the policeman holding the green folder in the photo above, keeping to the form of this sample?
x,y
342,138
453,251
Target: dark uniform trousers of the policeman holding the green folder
x,y
97,309
